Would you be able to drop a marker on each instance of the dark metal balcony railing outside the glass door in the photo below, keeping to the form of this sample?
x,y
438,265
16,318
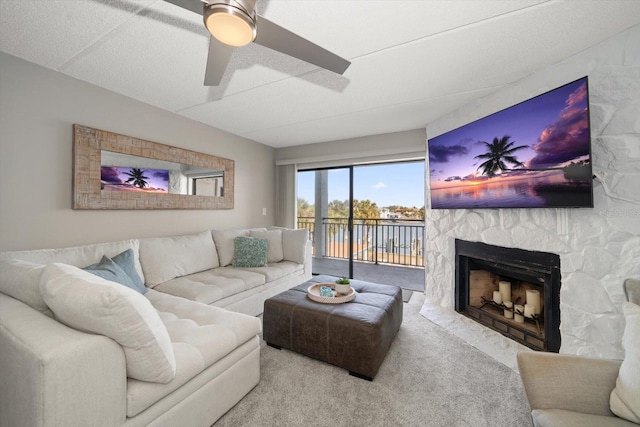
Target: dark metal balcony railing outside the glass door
x,y
377,240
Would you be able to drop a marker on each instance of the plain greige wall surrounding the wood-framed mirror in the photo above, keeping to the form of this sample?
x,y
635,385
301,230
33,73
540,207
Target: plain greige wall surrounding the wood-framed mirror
x,y
37,110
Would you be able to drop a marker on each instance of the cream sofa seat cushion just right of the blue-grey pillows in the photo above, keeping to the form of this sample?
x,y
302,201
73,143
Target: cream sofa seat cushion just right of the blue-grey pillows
x,y
212,285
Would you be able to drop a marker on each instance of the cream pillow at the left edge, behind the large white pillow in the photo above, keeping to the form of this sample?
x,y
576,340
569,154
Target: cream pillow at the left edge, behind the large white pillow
x,y
21,280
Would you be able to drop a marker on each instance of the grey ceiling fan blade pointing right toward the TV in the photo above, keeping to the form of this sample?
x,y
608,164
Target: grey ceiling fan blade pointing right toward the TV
x,y
278,38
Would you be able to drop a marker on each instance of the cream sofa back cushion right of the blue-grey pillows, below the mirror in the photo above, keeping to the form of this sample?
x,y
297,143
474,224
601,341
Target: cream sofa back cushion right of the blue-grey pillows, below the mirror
x,y
165,258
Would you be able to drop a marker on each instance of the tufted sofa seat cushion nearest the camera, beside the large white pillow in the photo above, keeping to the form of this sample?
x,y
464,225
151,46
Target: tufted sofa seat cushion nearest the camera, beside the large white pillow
x,y
201,335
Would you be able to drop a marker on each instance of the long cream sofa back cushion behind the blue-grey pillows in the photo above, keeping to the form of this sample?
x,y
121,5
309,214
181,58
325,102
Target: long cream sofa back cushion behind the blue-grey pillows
x,y
79,256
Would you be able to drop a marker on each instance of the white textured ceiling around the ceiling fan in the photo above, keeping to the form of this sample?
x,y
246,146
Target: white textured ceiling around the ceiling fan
x,y
412,61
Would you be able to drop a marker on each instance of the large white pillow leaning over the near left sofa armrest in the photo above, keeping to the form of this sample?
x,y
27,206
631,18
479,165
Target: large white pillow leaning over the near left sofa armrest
x,y
89,303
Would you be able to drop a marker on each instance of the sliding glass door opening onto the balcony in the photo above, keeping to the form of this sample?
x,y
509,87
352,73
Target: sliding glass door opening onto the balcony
x,y
366,221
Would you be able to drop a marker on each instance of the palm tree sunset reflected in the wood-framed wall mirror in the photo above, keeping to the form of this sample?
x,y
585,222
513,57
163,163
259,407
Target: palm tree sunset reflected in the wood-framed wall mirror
x,y
115,178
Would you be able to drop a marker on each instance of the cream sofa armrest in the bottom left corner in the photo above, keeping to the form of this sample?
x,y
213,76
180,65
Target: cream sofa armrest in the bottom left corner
x,y
52,375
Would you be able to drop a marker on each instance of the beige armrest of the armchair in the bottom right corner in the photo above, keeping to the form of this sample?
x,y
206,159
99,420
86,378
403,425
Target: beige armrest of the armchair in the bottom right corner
x,y
573,383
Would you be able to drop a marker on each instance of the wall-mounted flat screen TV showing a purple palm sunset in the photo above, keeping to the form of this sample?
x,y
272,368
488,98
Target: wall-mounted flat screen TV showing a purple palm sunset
x,y
536,154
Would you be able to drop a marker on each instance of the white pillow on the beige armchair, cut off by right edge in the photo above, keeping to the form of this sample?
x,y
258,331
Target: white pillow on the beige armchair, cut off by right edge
x,y
625,398
